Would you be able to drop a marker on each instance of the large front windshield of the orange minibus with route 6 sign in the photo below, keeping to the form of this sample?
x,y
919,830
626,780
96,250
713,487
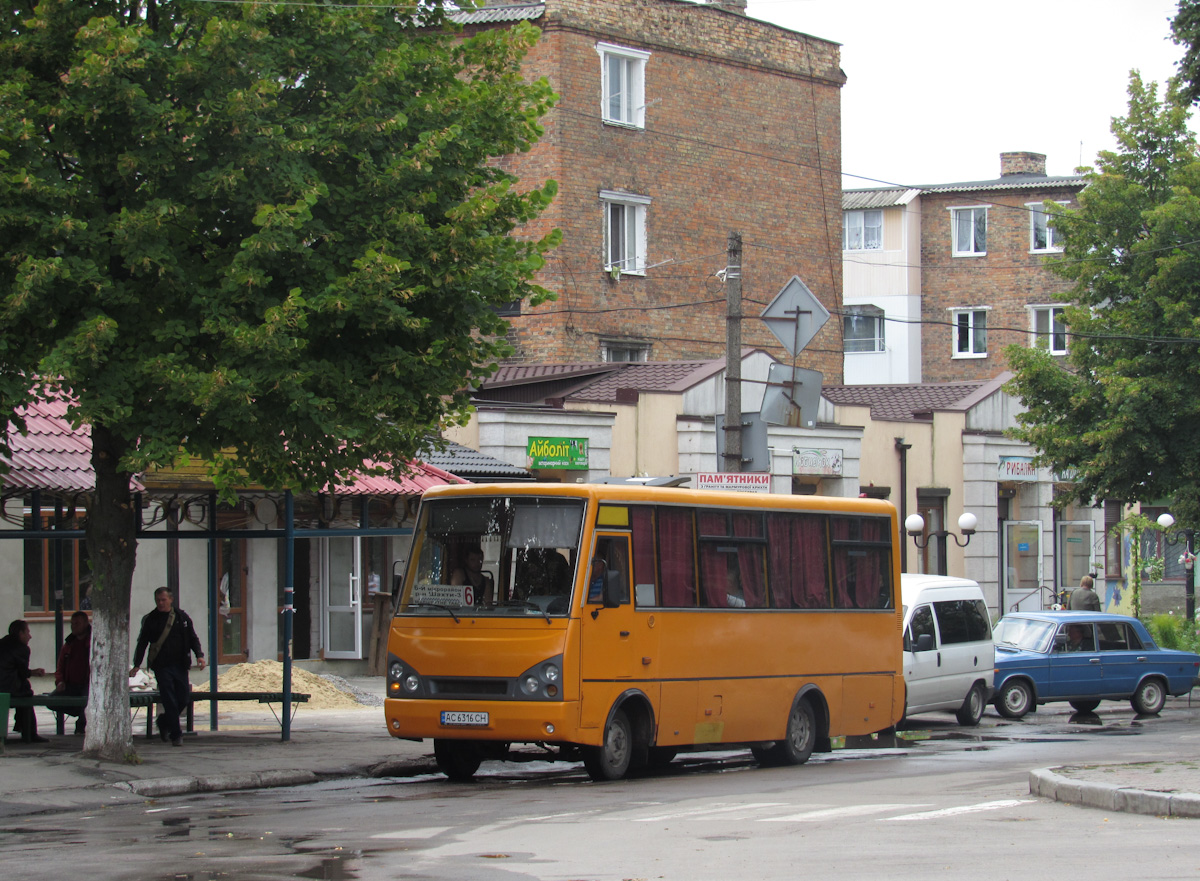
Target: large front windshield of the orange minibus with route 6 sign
x,y
505,556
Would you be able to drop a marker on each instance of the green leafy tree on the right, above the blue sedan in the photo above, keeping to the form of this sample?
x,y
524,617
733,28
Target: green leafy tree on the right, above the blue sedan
x,y
1123,416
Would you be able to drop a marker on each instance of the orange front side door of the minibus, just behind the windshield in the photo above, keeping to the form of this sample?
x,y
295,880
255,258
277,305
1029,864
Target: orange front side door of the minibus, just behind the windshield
x,y
613,645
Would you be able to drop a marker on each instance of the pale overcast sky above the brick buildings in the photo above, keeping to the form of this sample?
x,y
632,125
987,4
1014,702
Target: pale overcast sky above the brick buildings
x,y
937,91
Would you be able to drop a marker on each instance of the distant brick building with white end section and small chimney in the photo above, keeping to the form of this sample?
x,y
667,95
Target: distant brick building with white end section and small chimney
x,y
940,279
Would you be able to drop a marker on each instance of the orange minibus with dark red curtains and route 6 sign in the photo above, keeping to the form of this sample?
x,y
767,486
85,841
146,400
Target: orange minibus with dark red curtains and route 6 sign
x,y
621,625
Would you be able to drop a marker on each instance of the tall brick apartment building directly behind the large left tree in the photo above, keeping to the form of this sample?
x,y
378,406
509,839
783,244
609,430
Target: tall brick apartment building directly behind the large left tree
x,y
677,124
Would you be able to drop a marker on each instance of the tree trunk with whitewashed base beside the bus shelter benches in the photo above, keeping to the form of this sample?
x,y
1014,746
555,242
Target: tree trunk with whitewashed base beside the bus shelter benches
x,y
112,548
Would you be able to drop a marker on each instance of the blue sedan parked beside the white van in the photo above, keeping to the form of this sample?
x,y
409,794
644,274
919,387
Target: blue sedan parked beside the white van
x,y
1085,658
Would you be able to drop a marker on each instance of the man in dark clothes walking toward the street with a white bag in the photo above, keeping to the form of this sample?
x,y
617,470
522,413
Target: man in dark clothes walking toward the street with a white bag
x,y
171,637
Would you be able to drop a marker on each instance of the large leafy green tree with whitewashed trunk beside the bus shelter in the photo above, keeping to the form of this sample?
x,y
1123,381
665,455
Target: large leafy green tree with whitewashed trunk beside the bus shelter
x,y
272,237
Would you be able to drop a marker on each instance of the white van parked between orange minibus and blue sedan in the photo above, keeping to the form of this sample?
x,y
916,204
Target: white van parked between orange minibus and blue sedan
x,y
949,654
